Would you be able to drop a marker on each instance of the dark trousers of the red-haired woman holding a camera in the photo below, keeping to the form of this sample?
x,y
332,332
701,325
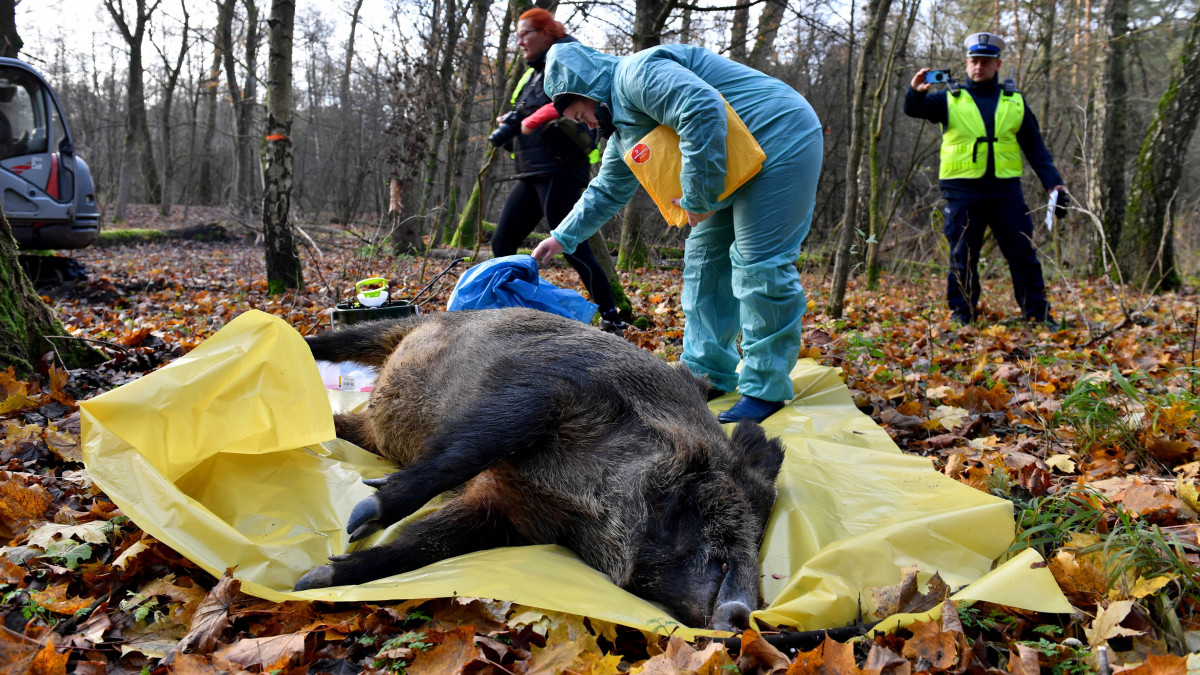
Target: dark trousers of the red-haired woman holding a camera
x,y
550,196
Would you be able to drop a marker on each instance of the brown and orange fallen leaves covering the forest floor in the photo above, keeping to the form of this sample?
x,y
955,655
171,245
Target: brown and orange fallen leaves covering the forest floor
x,y
1091,432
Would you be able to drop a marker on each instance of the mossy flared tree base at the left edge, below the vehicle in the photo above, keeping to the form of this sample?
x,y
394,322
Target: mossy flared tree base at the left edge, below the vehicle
x,y
26,320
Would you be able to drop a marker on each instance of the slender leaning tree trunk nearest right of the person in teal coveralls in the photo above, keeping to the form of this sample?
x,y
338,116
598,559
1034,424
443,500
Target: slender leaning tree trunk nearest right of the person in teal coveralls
x,y
878,11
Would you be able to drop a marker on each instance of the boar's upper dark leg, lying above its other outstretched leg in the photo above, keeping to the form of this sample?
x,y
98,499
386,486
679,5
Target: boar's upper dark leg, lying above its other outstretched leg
x,y
484,437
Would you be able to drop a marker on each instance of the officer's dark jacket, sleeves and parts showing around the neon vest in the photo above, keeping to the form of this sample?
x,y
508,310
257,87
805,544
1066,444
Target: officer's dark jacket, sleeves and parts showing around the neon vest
x,y
933,107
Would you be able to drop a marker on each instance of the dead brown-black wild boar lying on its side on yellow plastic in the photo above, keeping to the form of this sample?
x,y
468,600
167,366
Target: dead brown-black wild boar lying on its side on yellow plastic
x,y
549,432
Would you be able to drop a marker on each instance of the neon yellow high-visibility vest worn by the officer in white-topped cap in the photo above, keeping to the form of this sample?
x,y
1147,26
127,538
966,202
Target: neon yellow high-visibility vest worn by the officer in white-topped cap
x,y
965,141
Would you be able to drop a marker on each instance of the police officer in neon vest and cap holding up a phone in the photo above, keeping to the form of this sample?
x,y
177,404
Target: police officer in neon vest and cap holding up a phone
x,y
986,129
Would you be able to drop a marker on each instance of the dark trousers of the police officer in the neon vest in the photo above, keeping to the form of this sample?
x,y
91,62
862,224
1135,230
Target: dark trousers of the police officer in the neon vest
x,y
965,224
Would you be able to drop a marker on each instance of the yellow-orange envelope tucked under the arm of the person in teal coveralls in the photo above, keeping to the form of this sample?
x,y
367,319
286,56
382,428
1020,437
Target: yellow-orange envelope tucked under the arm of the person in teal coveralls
x,y
657,163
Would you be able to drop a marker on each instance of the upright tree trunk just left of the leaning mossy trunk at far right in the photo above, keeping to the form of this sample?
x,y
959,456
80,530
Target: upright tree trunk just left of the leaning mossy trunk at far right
x,y
1109,134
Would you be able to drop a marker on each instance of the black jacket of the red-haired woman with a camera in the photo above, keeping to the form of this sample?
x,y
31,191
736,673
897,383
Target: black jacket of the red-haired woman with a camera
x,y
533,154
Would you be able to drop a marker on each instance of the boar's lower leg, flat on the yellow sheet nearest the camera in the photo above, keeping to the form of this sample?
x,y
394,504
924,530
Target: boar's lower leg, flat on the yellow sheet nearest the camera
x,y
458,528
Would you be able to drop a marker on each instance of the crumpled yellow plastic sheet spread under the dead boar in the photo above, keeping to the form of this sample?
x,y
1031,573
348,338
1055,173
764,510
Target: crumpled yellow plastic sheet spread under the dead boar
x,y
229,456
